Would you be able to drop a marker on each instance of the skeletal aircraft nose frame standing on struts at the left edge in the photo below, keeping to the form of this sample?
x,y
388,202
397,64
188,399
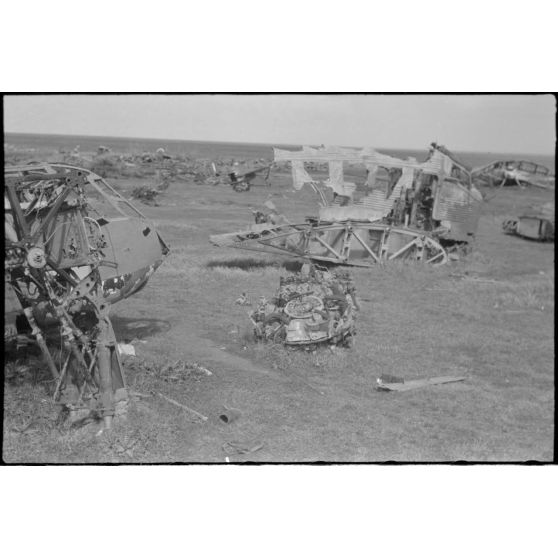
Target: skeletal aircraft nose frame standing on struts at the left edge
x,y
73,247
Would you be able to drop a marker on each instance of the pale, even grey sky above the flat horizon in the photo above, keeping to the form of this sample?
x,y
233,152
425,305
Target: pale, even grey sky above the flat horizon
x,y
498,123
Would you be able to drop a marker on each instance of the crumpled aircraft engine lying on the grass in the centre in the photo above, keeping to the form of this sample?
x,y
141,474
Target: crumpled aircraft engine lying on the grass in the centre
x,y
312,307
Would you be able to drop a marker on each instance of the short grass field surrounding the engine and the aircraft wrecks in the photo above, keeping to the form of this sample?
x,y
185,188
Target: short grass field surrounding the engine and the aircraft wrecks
x,y
489,317
